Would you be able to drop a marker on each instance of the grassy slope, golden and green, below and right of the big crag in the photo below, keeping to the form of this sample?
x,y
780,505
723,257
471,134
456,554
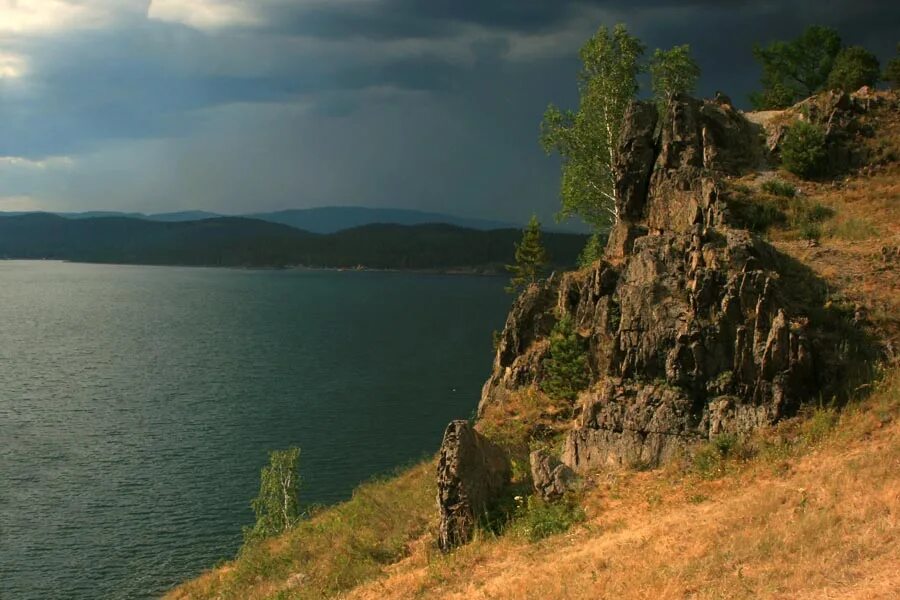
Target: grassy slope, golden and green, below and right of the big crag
x,y
809,509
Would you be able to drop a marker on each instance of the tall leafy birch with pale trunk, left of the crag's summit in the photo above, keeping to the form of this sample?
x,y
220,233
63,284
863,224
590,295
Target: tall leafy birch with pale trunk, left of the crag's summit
x,y
586,139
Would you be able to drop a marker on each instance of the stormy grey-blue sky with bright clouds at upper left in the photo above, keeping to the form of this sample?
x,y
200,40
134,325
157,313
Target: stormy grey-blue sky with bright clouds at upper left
x,y
242,106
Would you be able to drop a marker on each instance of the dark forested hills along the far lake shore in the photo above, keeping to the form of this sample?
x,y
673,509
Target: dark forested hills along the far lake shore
x,y
237,241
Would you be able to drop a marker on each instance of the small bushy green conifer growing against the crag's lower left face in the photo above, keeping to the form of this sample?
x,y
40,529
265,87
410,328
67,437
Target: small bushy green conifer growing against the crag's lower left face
x,y
565,372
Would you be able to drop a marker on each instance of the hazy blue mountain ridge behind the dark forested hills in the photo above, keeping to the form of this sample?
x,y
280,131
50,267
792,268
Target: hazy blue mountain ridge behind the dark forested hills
x,y
328,219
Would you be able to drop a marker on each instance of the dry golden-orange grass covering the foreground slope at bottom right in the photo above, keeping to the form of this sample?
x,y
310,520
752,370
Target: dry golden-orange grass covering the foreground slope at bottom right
x,y
824,524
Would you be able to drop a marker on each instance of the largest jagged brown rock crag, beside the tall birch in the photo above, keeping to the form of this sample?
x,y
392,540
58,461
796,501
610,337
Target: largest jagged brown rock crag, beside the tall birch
x,y
692,332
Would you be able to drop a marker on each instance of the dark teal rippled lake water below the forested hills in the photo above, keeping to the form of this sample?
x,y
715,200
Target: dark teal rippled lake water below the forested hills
x,y
138,404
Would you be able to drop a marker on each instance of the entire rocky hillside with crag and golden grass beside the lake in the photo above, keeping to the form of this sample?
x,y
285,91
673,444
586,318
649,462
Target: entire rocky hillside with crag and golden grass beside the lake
x,y
780,492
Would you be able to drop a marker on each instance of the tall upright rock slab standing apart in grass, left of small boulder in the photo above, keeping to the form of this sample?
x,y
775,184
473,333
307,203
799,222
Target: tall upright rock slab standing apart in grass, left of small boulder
x,y
472,472
